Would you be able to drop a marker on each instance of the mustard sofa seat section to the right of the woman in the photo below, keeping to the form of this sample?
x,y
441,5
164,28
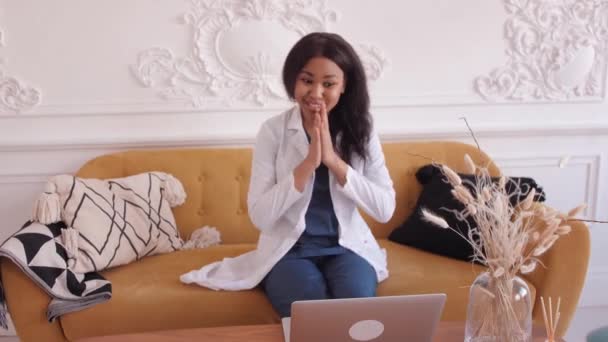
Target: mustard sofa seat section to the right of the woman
x,y
413,271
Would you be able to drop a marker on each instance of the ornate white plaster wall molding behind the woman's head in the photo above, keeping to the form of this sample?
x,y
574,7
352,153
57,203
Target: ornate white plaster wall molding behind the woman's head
x,y
232,61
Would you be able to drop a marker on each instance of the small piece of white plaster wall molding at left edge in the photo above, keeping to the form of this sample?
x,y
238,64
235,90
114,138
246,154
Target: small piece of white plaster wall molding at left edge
x,y
15,96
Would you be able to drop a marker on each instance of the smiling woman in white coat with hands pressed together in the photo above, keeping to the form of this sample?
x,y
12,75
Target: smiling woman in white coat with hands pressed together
x,y
313,165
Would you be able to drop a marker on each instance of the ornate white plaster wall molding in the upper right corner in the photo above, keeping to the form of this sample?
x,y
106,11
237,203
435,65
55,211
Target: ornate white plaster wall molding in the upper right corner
x,y
556,50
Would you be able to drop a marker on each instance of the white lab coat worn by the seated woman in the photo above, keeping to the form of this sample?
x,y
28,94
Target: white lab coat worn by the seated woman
x,y
277,208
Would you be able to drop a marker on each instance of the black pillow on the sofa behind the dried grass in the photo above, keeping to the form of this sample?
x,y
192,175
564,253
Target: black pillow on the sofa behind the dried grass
x,y
436,194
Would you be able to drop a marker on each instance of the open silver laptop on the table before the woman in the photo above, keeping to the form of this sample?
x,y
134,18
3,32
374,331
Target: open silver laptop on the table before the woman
x,y
377,319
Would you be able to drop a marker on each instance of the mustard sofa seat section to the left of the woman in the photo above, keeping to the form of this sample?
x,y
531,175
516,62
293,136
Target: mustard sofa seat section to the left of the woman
x,y
148,295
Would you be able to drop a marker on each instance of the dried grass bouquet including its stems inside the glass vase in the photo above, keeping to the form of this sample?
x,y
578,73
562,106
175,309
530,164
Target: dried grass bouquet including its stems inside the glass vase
x,y
508,239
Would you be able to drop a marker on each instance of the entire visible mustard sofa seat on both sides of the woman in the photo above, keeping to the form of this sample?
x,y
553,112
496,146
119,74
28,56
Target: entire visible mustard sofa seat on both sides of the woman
x,y
147,294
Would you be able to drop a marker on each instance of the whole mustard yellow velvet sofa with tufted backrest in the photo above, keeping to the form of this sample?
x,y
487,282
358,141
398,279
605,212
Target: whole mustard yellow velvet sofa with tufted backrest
x,y
147,294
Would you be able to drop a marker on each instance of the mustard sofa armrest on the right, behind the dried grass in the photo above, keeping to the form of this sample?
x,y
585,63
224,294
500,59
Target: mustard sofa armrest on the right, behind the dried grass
x,y
563,274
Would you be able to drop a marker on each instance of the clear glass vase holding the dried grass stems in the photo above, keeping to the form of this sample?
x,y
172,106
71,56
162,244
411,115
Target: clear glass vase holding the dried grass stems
x,y
499,309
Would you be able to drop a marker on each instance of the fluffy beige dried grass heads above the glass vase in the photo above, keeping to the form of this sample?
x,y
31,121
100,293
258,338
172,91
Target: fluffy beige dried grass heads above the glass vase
x,y
508,240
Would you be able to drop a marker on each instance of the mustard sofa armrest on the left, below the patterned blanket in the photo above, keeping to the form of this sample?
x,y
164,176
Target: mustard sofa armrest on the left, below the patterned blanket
x,y
27,304
